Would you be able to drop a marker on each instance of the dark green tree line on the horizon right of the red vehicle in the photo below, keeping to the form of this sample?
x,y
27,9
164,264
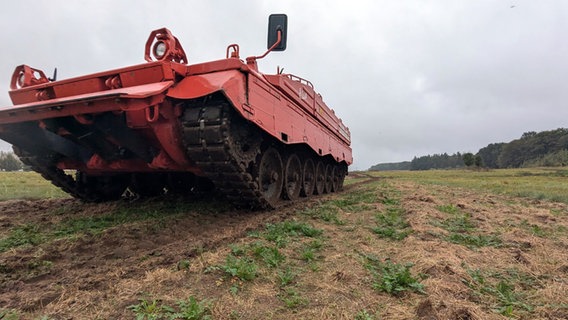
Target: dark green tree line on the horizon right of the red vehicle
x,y
532,149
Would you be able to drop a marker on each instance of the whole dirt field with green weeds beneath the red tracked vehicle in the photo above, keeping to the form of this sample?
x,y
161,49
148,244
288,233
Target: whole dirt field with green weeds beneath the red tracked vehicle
x,y
464,255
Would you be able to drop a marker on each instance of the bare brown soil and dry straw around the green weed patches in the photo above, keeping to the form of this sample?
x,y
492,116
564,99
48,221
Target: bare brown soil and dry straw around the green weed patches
x,y
98,275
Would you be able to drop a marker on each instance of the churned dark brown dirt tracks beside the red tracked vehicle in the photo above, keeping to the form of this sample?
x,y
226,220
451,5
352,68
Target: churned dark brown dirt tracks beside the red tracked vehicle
x,y
33,276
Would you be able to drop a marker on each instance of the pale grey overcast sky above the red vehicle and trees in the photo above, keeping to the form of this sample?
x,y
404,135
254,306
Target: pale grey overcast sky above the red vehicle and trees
x,y
409,78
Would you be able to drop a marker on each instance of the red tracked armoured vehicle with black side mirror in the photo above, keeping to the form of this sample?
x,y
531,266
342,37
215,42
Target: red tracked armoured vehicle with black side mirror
x,y
167,126
